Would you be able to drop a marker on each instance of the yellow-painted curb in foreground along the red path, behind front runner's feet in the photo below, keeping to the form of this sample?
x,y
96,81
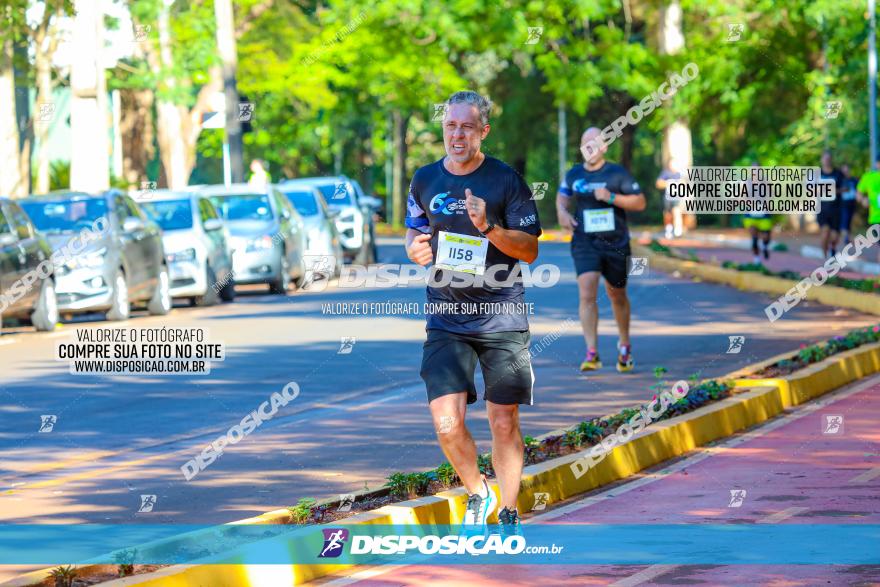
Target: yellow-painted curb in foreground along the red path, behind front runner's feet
x,y
759,400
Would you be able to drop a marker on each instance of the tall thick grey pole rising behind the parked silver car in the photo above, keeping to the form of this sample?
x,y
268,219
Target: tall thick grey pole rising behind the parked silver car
x,y
233,147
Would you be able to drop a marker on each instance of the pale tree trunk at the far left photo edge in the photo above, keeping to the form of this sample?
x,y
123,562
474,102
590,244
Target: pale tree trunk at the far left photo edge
x,y
10,174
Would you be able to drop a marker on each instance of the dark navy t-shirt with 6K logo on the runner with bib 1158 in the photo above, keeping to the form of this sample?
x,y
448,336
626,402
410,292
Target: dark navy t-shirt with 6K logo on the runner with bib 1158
x,y
436,203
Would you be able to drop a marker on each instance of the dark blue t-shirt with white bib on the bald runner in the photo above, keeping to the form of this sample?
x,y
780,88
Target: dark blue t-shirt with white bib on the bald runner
x,y
581,185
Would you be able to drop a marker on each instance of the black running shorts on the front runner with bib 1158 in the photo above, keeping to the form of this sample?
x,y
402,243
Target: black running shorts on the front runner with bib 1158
x,y
449,361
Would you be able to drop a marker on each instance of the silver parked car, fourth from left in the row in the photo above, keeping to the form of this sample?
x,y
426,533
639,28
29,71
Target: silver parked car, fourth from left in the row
x,y
266,234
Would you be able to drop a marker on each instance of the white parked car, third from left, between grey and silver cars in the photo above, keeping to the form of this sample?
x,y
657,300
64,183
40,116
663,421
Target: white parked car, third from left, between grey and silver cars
x,y
196,245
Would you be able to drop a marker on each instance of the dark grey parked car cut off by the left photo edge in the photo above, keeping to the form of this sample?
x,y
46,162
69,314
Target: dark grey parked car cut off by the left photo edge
x,y
22,250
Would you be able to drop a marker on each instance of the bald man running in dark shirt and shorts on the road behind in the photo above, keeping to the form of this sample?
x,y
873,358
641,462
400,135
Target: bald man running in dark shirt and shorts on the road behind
x,y
602,192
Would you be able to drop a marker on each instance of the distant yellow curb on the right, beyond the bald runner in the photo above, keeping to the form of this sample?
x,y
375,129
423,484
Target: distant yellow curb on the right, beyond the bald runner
x,y
827,294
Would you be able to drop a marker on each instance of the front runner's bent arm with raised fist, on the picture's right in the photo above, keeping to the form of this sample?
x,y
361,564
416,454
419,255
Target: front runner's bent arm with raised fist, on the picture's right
x,y
520,239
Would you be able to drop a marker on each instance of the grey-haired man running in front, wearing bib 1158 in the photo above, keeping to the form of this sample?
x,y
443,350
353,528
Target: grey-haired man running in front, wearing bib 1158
x,y
472,214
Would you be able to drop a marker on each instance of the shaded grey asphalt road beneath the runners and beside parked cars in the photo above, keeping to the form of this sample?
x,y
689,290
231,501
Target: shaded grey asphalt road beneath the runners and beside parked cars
x,y
359,417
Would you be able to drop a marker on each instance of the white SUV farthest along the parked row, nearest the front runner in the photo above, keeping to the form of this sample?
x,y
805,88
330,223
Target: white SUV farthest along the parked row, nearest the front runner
x,y
355,219
